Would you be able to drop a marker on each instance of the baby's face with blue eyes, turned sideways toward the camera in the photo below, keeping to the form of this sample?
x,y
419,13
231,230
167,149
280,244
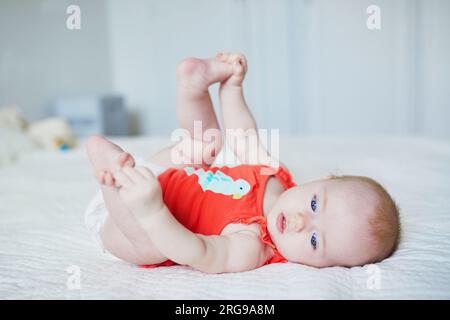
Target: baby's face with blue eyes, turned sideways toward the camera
x,y
324,223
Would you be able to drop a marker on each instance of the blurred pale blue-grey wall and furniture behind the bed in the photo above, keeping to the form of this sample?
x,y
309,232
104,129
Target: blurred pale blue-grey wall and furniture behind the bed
x,y
314,65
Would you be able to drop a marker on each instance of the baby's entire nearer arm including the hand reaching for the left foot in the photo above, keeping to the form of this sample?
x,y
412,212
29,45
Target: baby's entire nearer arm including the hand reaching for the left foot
x,y
236,252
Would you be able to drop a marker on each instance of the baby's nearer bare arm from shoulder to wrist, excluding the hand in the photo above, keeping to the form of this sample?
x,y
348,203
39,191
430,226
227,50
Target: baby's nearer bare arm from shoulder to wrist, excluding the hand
x,y
234,252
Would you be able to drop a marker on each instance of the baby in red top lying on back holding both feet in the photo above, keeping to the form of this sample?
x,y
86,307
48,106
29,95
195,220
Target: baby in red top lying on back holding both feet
x,y
230,219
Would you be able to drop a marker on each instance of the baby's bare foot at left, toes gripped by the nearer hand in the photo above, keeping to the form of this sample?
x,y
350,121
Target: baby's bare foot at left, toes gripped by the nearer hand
x,y
106,158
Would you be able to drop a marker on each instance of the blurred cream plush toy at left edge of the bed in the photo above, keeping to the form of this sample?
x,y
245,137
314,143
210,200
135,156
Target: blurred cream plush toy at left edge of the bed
x,y
50,133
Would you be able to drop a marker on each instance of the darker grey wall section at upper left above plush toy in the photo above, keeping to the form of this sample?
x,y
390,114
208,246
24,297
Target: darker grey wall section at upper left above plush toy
x,y
40,59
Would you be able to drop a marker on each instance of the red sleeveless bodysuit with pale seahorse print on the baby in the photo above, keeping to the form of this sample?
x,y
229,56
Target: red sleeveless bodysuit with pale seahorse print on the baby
x,y
206,199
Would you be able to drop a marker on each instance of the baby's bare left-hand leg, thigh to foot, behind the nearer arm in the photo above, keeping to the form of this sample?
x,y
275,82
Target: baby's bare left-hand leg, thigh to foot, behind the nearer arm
x,y
120,235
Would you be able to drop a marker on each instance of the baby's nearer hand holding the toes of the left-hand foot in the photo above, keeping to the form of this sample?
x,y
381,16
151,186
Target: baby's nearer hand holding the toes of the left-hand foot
x,y
139,190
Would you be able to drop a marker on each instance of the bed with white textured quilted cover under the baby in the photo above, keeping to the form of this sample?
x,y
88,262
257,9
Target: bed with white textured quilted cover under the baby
x,y
46,251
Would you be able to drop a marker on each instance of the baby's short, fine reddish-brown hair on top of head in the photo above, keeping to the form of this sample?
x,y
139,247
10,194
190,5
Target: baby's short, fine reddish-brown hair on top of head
x,y
385,223
